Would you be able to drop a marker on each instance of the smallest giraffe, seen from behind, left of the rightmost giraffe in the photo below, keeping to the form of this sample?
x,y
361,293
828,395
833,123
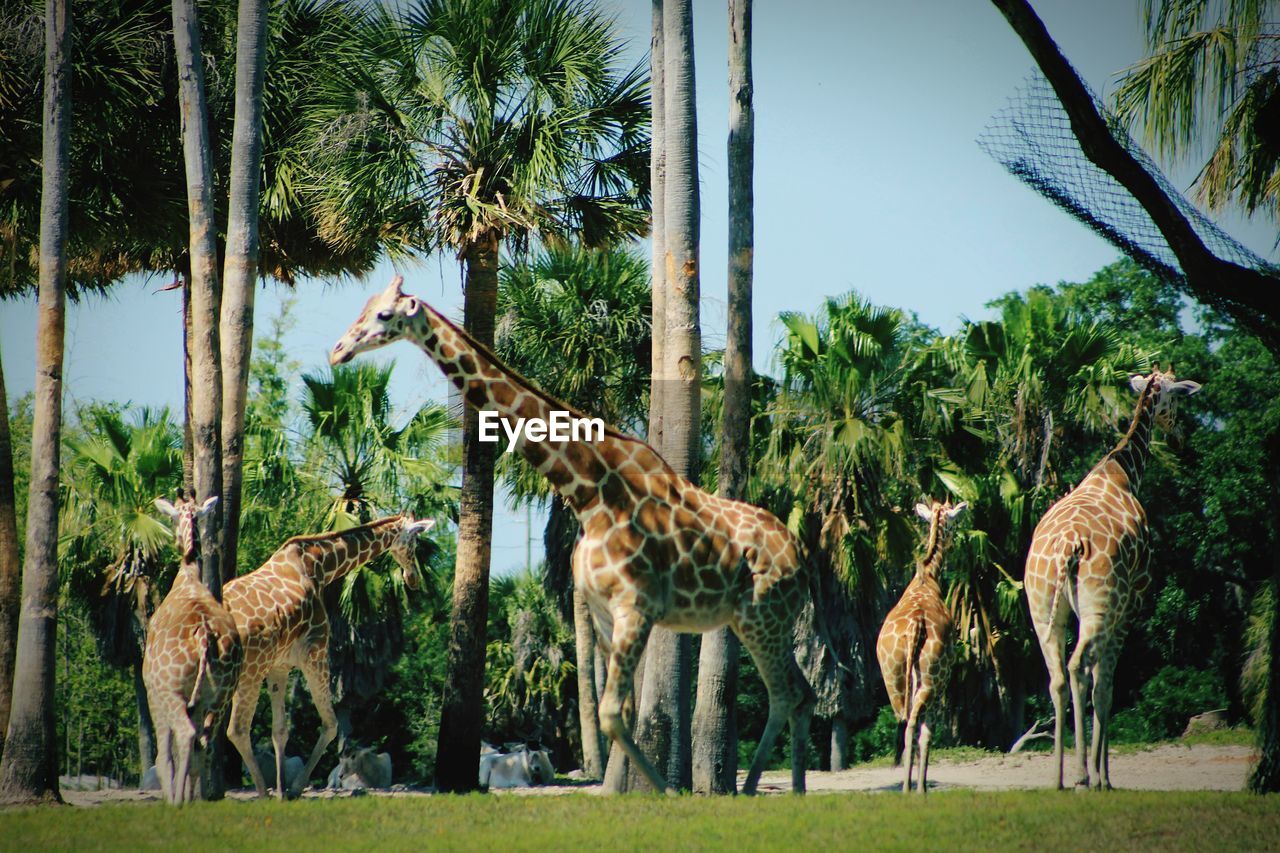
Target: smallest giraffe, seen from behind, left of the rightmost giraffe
x,y
915,646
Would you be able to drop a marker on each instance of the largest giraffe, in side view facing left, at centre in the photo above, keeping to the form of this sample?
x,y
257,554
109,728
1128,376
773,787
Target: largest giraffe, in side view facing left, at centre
x,y
656,550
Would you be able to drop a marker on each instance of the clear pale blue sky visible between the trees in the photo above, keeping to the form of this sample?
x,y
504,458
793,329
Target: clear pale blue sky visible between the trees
x,y
867,177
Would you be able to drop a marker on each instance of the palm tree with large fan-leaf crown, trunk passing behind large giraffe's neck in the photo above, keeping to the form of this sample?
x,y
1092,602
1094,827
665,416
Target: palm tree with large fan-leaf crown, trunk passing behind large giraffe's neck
x,y
502,120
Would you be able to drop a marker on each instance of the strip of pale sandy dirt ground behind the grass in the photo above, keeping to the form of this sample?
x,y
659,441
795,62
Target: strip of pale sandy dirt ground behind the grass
x,y
1167,768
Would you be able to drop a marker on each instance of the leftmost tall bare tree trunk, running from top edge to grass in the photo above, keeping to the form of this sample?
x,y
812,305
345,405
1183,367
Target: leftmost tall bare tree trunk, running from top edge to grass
x,y
29,772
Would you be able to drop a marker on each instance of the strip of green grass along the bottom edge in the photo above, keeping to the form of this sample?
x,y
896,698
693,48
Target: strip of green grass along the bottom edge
x,y
966,820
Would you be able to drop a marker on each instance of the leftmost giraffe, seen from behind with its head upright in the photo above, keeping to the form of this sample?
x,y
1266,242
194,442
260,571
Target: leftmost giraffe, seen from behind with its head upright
x,y
191,662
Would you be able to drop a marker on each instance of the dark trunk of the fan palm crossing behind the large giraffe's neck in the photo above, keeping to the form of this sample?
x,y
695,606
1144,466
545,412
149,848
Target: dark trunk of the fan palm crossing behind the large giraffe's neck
x,y
458,765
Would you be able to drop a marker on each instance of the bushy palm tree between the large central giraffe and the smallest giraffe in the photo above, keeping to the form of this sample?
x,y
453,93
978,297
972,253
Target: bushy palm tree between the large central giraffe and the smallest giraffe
x,y
840,459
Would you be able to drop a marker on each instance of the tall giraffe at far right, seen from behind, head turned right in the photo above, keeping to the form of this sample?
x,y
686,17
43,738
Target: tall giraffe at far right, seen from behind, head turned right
x,y
1091,555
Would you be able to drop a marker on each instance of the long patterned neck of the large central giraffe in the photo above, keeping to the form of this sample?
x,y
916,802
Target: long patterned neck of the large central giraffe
x,y
575,467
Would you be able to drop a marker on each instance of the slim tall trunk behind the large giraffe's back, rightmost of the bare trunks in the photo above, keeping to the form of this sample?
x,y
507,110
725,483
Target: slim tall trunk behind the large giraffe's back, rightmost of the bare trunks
x,y
715,722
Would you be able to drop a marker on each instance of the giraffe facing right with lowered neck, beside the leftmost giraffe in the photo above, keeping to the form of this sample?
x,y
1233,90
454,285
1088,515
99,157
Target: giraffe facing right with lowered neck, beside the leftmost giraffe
x,y
280,612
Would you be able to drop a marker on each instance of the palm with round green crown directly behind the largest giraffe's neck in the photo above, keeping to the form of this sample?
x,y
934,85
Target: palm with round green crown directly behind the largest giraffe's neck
x,y
574,322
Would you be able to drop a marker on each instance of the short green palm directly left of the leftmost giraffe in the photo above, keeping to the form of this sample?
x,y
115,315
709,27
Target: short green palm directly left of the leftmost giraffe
x,y
118,555
